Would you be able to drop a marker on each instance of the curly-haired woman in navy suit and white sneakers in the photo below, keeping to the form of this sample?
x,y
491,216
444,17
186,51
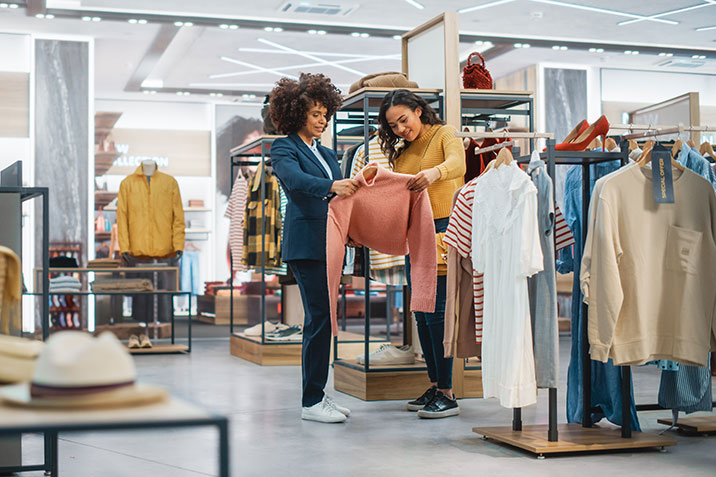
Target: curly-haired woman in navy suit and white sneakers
x,y
310,175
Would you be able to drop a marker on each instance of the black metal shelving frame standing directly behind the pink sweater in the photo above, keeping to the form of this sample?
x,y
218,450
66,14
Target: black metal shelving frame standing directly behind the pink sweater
x,y
360,106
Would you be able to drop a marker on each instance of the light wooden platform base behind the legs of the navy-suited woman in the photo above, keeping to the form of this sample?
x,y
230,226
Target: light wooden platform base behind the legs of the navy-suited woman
x,y
288,353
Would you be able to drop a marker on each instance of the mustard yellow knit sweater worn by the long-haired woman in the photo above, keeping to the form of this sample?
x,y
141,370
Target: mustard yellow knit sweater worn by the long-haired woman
x,y
437,147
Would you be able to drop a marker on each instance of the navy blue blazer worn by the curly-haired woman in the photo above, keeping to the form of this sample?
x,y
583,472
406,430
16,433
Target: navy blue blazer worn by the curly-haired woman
x,y
307,186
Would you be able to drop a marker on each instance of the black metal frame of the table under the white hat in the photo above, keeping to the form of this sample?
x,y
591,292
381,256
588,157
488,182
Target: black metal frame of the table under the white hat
x,y
50,464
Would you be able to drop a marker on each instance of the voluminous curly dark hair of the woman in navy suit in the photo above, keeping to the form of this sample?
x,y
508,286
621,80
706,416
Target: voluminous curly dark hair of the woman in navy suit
x,y
291,100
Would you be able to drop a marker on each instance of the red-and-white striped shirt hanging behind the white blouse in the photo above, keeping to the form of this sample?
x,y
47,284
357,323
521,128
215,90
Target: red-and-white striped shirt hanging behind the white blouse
x,y
459,236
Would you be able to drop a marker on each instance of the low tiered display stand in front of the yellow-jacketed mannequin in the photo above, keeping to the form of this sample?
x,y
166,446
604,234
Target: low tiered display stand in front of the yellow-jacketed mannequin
x,y
163,334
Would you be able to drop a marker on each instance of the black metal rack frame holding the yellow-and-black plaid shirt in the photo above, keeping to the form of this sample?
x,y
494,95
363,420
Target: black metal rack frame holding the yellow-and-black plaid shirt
x,y
246,155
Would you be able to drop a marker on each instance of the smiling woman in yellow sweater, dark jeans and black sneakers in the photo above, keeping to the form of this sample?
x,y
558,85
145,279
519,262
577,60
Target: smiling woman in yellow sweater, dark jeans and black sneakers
x,y
436,159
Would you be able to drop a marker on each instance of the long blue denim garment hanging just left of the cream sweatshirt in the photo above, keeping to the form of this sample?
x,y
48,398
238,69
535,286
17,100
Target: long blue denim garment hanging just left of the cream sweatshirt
x,y
606,378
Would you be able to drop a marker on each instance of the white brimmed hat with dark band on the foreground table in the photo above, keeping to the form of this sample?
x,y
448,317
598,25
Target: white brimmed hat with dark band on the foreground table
x,y
76,370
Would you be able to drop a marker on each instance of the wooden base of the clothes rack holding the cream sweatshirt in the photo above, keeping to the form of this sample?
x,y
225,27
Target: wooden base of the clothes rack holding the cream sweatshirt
x,y
572,438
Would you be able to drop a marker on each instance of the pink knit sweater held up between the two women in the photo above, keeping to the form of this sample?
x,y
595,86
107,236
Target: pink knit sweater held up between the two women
x,y
386,216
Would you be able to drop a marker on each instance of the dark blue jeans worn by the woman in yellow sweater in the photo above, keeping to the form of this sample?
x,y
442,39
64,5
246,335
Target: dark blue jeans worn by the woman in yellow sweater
x,y
431,328
